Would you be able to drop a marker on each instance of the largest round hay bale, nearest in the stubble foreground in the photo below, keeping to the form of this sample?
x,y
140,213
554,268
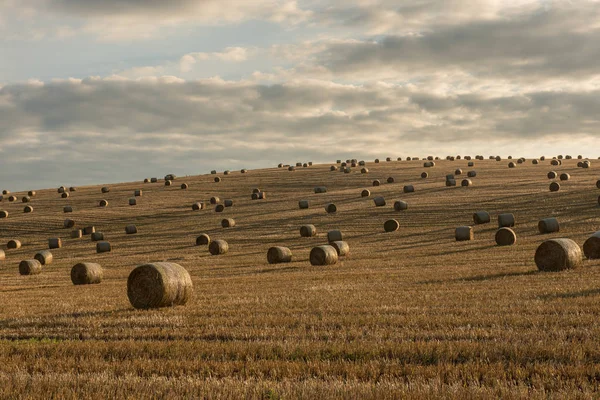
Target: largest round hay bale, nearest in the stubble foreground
x,y
158,285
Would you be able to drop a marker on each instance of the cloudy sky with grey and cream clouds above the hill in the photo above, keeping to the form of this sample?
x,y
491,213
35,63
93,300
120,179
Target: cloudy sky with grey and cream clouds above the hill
x,y
96,92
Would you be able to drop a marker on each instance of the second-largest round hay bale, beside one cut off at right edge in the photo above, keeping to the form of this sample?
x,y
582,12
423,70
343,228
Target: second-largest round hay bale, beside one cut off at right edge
x,y
558,255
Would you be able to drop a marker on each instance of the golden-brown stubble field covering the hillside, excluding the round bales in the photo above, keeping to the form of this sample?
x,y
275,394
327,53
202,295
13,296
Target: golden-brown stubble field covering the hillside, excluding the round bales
x,y
412,313
